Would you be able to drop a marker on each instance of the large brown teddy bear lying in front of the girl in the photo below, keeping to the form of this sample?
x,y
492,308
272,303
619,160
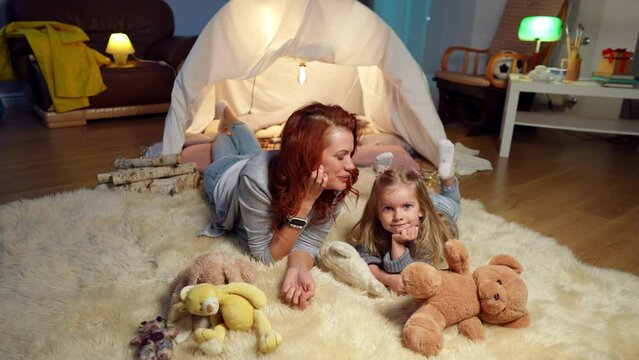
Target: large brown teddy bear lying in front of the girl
x,y
494,294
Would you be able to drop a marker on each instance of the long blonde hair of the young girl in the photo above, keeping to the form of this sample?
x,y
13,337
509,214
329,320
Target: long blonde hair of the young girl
x,y
433,230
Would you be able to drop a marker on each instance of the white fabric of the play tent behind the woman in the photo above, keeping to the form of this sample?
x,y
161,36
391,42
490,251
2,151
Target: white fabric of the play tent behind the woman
x,y
249,53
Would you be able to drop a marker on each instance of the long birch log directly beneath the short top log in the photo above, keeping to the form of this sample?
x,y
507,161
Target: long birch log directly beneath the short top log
x,y
128,176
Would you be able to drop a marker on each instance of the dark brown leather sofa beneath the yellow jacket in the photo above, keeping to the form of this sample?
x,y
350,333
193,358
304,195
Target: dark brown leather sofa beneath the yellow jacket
x,y
140,88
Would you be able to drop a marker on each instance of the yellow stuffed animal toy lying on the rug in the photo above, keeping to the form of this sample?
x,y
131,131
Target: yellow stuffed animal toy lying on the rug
x,y
234,306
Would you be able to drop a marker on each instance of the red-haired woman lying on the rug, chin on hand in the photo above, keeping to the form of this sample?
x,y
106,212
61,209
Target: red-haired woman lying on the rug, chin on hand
x,y
283,203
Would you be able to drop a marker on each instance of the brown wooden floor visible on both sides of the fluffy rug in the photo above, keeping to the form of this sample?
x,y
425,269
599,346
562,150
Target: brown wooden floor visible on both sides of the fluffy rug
x,y
581,189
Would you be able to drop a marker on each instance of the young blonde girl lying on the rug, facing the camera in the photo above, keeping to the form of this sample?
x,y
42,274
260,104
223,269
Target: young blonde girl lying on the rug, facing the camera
x,y
403,223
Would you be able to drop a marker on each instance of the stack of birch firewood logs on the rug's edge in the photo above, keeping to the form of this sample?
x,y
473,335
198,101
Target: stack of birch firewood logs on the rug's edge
x,y
163,175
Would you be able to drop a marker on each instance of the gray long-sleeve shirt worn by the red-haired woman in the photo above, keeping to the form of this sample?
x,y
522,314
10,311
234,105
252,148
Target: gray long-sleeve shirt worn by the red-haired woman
x,y
248,211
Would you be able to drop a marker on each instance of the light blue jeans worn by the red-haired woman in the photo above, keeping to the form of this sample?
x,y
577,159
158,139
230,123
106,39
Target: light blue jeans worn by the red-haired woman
x,y
226,151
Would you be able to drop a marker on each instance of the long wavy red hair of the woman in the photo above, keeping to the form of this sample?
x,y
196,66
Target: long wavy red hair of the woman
x,y
304,139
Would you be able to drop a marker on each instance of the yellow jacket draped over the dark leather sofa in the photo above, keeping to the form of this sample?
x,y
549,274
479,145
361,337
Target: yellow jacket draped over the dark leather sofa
x,y
70,68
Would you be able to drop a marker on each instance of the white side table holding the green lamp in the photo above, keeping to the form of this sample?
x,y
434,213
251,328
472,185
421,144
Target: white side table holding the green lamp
x,y
583,87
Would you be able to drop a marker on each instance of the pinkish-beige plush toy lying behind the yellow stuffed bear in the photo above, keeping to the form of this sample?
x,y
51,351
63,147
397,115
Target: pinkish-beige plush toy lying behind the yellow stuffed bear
x,y
216,269
